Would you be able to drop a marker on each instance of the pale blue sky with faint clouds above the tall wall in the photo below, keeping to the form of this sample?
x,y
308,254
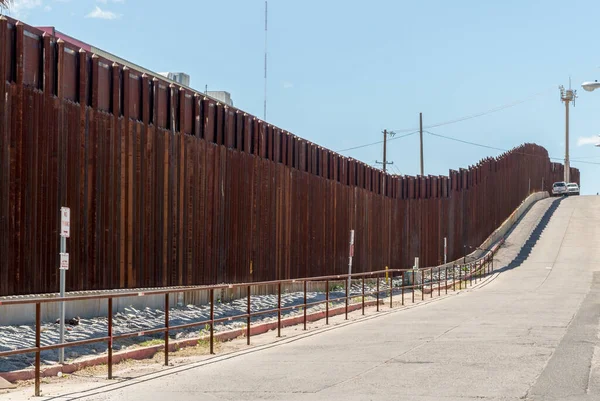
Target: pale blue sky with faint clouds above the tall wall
x,y
340,71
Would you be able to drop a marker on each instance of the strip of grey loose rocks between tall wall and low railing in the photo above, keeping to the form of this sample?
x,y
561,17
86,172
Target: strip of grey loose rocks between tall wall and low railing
x,y
134,320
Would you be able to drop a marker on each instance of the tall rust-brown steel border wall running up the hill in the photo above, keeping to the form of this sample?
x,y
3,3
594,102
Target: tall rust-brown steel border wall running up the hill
x,y
168,187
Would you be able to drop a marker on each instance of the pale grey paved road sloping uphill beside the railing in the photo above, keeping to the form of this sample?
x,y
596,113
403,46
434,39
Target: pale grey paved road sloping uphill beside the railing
x,y
528,332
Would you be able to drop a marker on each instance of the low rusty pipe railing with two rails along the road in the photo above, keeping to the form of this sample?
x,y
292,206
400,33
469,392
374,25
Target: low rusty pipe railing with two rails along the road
x,y
478,269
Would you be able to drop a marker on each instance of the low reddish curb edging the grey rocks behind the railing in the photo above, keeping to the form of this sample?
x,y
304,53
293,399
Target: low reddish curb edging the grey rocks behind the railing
x,y
174,345
